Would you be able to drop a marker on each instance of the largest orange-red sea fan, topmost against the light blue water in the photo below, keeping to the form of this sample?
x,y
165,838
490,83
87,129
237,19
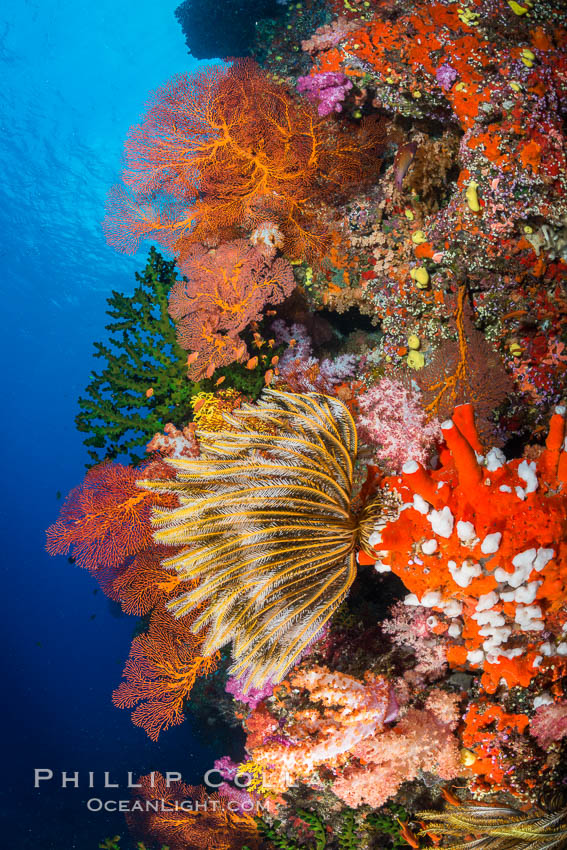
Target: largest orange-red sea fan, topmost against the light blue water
x,y
225,150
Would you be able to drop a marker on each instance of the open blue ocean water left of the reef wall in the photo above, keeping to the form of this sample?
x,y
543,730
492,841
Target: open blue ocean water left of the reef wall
x,y
75,76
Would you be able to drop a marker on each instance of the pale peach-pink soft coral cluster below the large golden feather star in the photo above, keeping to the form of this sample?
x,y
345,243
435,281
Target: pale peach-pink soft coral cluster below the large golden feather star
x,y
344,731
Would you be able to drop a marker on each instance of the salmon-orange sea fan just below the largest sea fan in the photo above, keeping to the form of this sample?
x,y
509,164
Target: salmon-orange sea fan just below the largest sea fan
x,y
224,289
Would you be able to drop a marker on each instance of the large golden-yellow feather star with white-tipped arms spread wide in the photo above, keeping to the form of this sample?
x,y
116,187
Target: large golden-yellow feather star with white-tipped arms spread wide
x,y
266,518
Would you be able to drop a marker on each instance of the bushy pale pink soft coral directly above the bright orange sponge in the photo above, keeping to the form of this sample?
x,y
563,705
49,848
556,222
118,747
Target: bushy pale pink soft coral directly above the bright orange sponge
x,y
392,419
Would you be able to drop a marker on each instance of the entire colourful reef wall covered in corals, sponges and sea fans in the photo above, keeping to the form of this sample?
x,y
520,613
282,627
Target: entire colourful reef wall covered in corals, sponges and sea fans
x,y
351,528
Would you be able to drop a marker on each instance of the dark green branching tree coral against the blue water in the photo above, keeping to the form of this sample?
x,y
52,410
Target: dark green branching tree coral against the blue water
x,y
143,383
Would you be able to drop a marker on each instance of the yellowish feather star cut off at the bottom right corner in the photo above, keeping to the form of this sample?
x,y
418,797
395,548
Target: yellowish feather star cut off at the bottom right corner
x,y
499,828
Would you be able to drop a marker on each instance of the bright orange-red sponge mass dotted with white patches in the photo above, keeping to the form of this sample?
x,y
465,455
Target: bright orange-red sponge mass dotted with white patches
x,y
486,541
